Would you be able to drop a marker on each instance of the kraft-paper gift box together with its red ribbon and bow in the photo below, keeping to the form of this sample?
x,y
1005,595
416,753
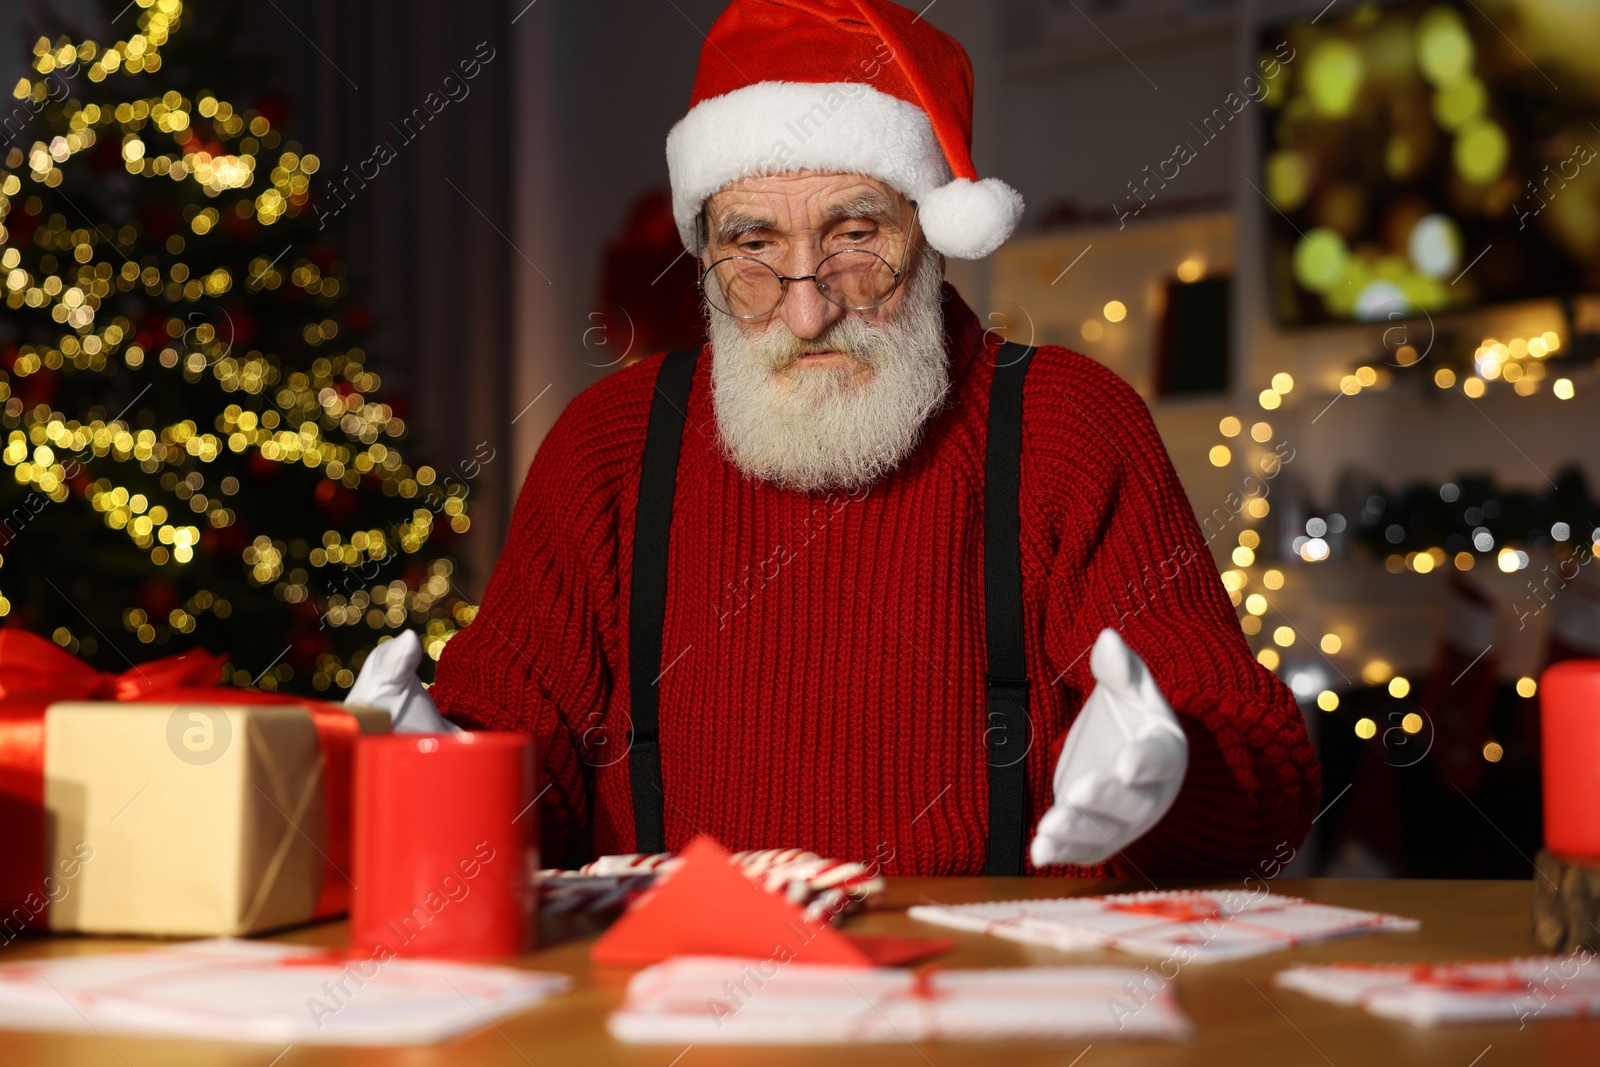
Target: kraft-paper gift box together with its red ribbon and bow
x,y
158,802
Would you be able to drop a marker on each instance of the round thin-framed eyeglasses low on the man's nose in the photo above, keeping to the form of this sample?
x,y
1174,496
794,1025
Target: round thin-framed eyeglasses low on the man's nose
x,y
858,281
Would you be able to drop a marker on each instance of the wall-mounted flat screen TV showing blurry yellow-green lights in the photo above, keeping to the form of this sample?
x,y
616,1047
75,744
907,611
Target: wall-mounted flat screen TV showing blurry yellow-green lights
x,y
1430,158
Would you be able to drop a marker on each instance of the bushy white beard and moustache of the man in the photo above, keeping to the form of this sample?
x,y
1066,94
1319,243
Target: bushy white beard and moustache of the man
x,y
822,430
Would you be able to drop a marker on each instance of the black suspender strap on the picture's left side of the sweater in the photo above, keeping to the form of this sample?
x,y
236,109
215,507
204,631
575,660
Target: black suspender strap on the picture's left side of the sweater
x,y
658,481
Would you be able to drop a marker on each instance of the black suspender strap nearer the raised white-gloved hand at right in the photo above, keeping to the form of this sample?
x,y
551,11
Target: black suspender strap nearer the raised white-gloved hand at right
x,y
1010,729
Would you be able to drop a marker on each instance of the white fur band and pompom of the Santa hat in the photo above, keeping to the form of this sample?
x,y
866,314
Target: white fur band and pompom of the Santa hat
x,y
842,127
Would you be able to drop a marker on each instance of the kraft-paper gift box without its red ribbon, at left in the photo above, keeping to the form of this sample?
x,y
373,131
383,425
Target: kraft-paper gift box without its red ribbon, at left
x,y
188,818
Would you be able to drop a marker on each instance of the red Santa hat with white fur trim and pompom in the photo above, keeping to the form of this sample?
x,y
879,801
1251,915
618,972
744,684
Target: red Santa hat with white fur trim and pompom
x,y
857,87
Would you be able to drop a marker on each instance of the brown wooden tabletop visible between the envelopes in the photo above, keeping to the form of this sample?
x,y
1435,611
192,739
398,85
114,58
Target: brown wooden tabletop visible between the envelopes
x,y
1241,1018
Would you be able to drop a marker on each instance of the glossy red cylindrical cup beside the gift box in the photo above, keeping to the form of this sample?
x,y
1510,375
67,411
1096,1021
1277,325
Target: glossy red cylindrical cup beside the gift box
x,y
444,847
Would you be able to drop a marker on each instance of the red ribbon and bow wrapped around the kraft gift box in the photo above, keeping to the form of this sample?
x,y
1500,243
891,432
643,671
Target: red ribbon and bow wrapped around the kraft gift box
x,y
36,674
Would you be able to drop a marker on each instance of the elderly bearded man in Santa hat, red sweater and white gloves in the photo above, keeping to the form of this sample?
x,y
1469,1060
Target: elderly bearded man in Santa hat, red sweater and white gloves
x,y
858,578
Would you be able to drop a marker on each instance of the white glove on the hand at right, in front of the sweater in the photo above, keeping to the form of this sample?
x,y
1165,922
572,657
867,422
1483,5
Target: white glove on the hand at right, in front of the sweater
x,y
1122,765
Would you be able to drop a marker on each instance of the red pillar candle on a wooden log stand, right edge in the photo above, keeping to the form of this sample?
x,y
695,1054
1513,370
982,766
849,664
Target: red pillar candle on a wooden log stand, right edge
x,y
1570,714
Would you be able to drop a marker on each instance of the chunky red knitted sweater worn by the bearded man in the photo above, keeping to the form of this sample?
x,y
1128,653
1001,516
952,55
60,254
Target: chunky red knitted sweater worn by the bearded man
x,y
823,655
